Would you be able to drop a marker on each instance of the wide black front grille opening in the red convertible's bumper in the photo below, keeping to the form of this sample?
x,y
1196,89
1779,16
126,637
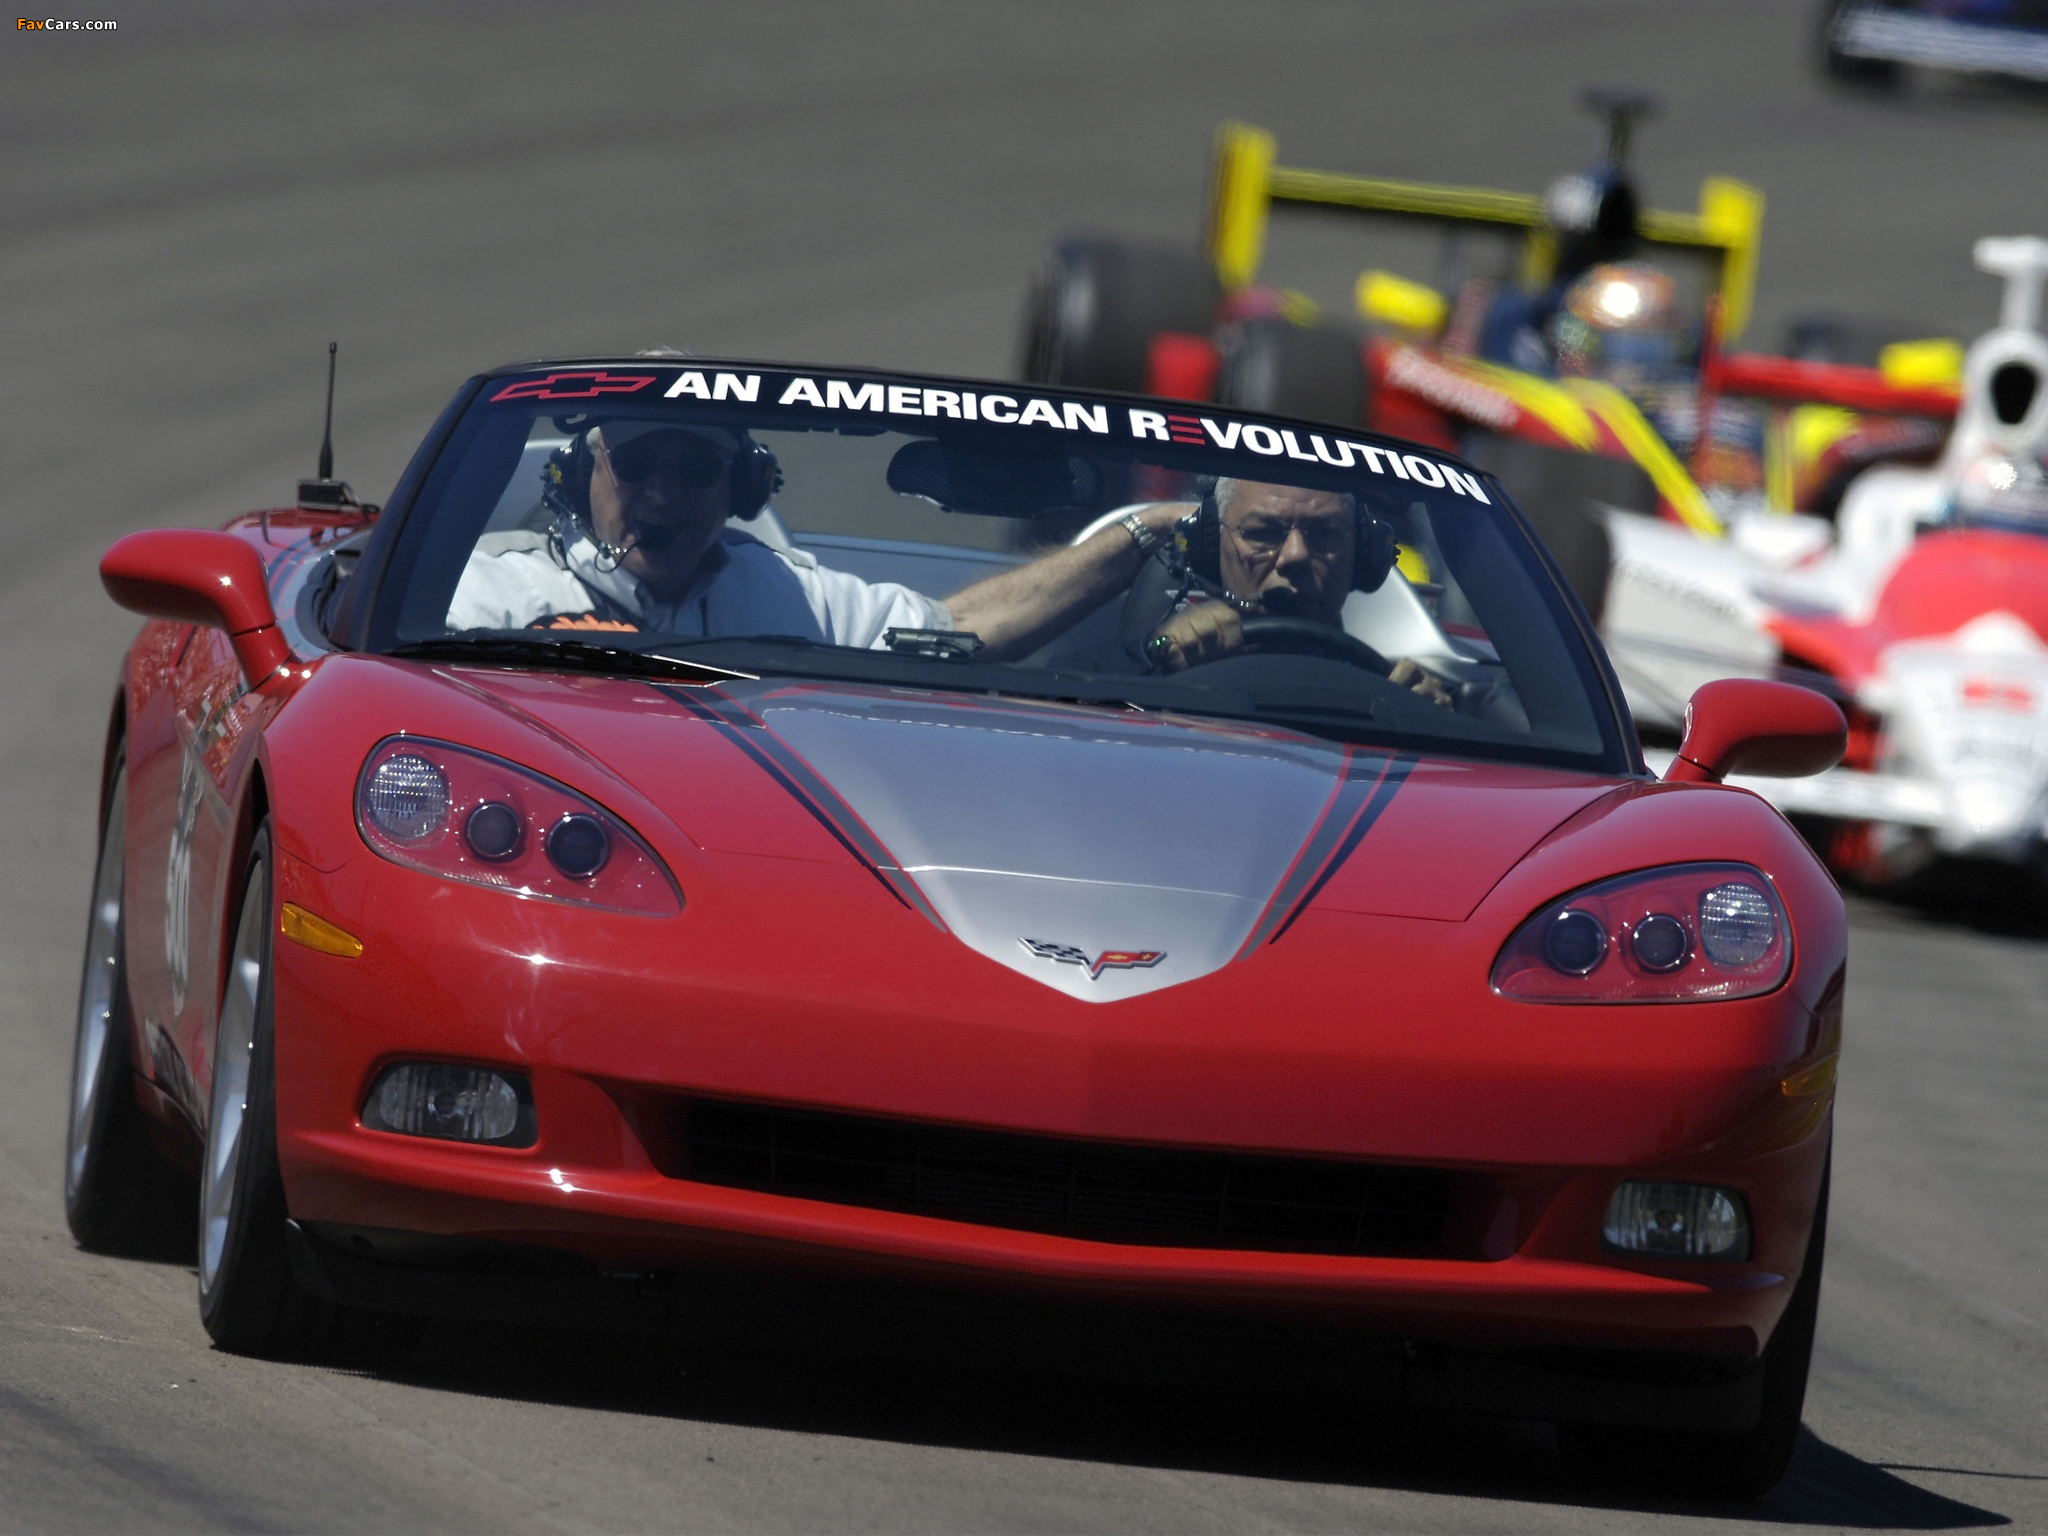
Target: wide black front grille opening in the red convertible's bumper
x,y
1078,1189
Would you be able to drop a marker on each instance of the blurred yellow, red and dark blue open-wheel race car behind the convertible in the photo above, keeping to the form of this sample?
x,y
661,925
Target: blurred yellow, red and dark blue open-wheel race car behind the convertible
x,y
1574,343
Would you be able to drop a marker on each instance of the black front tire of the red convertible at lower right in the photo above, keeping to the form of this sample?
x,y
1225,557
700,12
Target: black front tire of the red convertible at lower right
x,y
1721,1465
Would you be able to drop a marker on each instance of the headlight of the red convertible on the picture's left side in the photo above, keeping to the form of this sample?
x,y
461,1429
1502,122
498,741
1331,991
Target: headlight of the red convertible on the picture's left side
x,y
468,816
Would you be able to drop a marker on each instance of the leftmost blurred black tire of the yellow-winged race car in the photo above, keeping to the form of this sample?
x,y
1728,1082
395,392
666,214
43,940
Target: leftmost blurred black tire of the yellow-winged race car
x,y
1097,302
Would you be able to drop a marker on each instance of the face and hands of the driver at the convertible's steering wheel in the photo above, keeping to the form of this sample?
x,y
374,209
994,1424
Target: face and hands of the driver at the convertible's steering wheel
x,y
1285,552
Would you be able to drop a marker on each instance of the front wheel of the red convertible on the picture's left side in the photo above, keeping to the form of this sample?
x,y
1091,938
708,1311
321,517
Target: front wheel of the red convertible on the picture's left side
x,y
249,1299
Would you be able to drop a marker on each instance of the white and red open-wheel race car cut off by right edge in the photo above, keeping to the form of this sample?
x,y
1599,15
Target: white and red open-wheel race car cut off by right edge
x,y
1920,605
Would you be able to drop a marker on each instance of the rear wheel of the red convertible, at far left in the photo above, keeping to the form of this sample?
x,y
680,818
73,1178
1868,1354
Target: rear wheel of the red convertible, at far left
x,y
116,1183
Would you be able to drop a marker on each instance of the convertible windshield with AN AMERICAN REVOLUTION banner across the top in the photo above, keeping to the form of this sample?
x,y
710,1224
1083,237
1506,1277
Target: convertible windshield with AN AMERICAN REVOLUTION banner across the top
x,y
927,536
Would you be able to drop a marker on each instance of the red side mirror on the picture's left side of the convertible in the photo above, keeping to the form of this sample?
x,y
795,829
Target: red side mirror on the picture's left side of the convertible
x,y
200,579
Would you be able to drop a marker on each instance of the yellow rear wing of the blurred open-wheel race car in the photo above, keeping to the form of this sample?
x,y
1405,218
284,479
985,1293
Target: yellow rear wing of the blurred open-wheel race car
x,y
1246,185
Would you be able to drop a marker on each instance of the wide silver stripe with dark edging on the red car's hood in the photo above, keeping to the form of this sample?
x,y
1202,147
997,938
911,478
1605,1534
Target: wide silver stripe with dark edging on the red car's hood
x,y
1007,822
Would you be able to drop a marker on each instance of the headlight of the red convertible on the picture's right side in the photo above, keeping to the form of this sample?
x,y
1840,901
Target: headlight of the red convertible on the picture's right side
x,y
1689,933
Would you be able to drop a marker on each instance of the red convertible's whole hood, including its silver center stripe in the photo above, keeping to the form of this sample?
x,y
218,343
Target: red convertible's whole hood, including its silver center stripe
x,y
1103,853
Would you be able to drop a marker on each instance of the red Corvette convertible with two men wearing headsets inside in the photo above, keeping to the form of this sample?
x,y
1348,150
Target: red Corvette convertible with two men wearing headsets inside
x,y
976,837
